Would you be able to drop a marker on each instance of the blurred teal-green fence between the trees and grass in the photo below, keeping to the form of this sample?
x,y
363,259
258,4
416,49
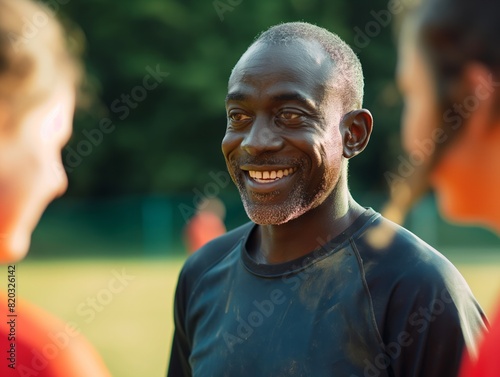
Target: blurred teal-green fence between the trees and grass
x,y
153,226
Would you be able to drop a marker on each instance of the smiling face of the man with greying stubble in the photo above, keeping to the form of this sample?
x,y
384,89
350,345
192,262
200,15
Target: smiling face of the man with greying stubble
x,y
283,147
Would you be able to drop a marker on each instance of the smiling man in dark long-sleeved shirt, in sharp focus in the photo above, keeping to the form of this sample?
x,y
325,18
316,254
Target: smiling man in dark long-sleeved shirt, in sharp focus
x,y
315,285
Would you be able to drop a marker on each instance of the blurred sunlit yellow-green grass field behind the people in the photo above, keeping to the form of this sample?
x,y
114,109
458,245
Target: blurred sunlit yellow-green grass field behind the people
x,y
132,328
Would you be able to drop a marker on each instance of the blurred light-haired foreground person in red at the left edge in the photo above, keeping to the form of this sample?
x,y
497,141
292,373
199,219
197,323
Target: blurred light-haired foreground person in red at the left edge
x,y
38,82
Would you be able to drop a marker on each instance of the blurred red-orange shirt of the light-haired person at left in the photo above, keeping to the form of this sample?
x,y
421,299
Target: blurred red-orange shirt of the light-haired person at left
x,y
33,343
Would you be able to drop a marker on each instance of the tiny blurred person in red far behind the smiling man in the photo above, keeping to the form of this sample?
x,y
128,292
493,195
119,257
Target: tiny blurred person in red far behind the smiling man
x,y
206,225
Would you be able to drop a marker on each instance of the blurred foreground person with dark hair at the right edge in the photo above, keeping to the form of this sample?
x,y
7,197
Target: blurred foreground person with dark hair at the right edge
x,y
449,74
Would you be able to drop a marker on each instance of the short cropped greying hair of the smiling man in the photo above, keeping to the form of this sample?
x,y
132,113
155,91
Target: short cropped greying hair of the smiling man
x,y
347,65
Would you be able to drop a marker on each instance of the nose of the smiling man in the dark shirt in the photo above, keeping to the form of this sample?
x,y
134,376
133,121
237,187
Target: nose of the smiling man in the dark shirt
x,y
262,137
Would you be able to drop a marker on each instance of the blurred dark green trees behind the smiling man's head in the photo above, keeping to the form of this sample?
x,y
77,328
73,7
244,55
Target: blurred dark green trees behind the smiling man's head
x,y
169,142
